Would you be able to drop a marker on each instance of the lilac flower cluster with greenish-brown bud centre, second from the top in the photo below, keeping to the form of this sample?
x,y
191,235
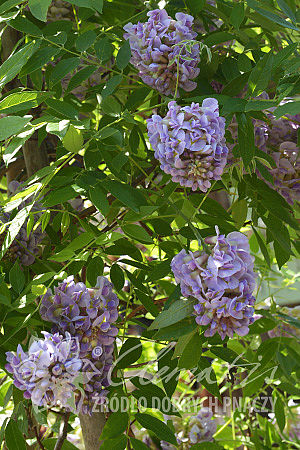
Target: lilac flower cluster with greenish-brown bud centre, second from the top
x,y
189,143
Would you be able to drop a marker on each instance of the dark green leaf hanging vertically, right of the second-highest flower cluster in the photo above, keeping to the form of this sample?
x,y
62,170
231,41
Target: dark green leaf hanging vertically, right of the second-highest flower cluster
x,y
245,138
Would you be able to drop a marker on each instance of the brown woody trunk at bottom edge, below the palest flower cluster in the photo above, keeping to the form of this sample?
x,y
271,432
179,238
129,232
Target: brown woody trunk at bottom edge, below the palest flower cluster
x,y
92,427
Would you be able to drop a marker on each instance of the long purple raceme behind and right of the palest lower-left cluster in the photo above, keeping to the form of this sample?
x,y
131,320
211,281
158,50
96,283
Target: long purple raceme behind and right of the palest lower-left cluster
x,y
89,315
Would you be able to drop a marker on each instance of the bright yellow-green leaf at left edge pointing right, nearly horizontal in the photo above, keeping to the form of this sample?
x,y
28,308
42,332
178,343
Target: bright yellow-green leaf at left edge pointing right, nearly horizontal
x,y
22,100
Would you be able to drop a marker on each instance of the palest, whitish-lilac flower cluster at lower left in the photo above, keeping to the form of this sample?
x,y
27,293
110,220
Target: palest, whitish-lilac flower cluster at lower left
x,y
47,372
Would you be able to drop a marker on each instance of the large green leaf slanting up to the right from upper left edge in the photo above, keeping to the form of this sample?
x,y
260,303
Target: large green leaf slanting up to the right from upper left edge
x,y
12,66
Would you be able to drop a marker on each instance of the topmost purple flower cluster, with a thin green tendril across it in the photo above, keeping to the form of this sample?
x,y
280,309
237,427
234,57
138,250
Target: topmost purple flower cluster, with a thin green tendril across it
x,y
161,53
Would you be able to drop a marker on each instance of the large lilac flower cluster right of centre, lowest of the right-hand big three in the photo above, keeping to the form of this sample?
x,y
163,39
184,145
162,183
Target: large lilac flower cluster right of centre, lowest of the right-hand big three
x,y
222,282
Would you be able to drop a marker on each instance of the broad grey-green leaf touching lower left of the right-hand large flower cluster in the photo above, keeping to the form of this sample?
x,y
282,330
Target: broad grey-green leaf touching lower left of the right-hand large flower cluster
x,y
177,311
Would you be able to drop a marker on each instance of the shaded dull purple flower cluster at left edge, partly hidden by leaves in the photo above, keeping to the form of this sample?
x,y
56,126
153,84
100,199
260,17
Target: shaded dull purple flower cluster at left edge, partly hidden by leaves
x,y
24,247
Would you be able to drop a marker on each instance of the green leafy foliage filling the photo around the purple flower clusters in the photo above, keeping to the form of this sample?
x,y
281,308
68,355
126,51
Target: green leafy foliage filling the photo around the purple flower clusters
x,y
105,207
